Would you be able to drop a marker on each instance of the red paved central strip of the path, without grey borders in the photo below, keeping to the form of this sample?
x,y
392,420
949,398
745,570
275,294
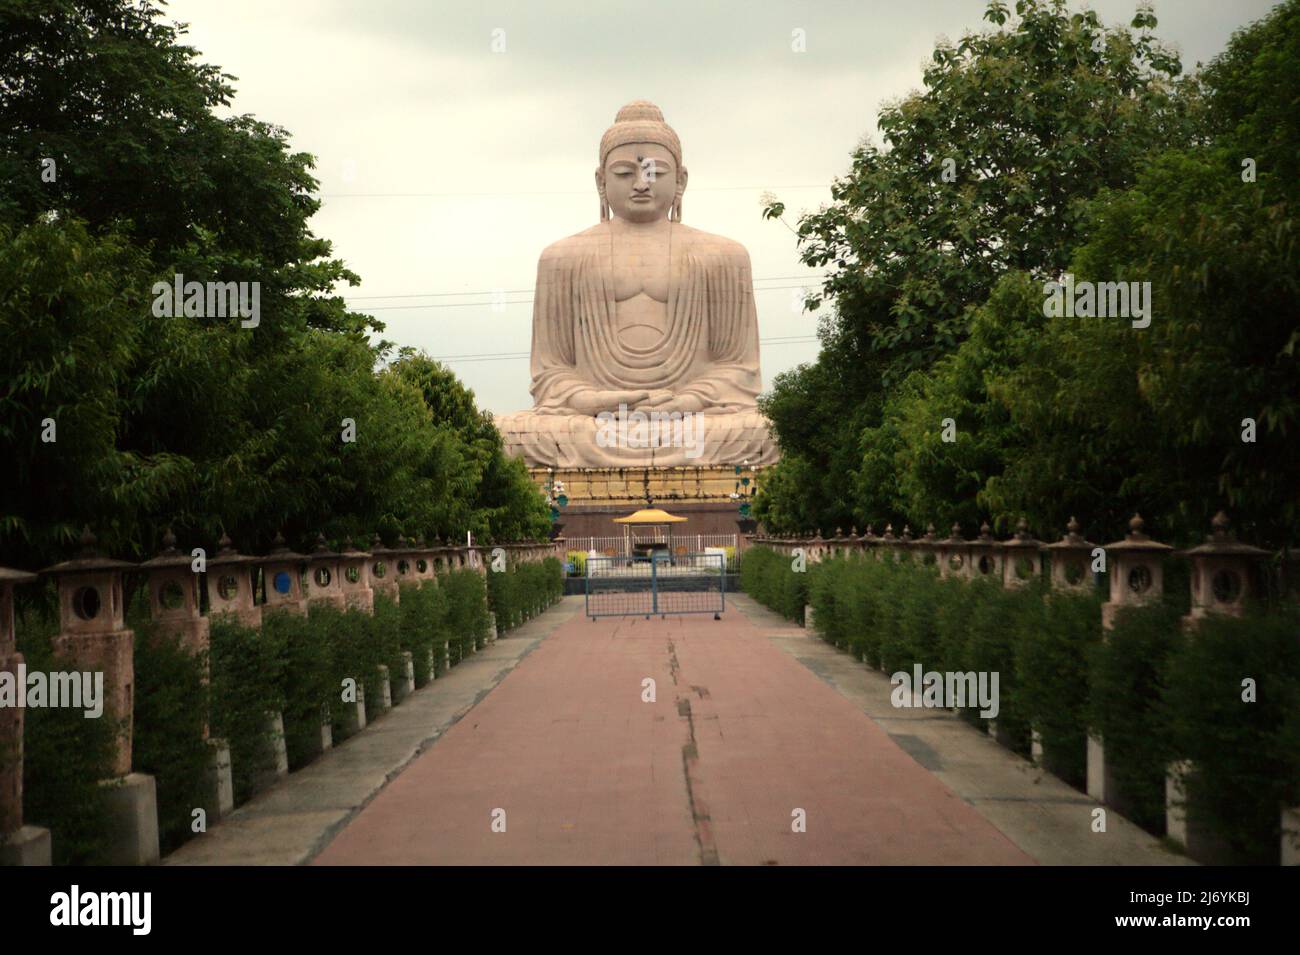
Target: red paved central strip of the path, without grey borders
x,y
742,735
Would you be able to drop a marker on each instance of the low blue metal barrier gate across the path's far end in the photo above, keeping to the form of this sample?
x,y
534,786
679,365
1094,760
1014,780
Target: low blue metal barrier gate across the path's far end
x,y
682,584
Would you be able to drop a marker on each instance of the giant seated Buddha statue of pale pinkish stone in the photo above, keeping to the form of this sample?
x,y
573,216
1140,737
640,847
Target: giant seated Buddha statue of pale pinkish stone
x,y
643,320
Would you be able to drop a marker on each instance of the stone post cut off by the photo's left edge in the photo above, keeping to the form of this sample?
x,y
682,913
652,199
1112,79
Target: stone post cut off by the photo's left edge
x,y
20,845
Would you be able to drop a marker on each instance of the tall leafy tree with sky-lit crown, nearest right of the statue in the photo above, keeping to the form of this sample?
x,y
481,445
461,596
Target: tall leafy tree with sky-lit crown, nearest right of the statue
x,y
1035,118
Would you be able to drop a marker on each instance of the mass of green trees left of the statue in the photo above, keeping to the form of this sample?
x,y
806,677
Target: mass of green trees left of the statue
x,y
114,416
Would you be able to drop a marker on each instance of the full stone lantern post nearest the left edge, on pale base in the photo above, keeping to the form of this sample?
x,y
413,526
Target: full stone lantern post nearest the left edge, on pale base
x,y
94,639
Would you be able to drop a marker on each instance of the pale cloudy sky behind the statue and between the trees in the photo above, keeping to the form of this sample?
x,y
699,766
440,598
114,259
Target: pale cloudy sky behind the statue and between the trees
x,y
447,167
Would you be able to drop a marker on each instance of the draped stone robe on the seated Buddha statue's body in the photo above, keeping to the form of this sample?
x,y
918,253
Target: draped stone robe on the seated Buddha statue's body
x,y
709,351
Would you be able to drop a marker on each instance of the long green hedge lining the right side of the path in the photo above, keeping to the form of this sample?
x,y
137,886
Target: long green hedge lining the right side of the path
x,y
1155,692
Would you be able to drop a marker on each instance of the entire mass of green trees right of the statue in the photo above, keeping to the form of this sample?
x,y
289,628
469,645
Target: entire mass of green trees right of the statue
x,y
1078,150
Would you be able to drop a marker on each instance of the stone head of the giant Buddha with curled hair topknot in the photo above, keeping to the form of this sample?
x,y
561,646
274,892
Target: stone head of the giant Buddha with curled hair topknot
x,y
640,177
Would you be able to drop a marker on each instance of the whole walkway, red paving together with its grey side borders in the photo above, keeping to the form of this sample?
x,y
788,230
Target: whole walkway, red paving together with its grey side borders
x,y
755,719
